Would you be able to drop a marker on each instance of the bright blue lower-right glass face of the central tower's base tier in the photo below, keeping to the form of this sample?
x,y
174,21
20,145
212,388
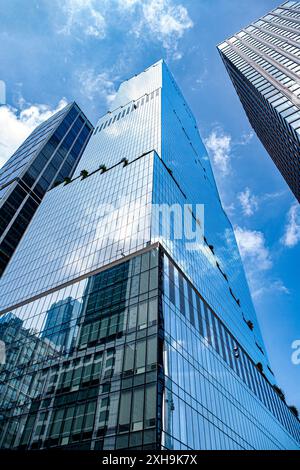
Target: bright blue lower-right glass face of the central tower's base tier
x,y
214,396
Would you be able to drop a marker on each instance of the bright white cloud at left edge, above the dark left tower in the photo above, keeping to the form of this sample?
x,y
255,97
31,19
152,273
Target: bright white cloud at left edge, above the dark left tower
x,y
15,126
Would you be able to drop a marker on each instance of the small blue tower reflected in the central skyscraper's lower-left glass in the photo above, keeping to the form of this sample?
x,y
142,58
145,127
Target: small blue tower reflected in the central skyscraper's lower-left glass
x,y
60,320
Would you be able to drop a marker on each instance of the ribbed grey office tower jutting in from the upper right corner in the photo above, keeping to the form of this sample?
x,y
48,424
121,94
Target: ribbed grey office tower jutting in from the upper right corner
x,y
263,62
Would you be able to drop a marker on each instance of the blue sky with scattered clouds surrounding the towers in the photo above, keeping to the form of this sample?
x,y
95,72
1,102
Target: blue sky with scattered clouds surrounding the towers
x,y
52,51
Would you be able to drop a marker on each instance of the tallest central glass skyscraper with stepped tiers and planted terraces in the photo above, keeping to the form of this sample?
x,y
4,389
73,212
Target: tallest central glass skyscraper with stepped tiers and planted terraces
x,y
166,351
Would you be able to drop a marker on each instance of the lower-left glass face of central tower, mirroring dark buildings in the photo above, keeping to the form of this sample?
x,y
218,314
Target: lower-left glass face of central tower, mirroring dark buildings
x,y
100,391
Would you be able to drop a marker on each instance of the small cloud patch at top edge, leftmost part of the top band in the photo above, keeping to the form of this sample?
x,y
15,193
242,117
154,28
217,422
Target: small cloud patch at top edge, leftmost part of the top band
x,y
85,16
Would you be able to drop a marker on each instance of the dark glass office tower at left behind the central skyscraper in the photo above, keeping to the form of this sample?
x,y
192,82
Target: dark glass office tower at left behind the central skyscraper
x,y
50,153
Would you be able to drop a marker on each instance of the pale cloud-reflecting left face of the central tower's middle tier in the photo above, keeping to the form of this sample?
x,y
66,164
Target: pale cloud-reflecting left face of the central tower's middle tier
x,y
83,235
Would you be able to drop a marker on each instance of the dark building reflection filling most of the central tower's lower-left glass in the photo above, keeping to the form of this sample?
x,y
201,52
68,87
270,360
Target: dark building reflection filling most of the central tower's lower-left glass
x,y
79,395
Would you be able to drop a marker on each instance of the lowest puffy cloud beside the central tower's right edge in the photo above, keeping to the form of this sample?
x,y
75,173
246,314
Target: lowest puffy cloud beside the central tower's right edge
x,y
253,249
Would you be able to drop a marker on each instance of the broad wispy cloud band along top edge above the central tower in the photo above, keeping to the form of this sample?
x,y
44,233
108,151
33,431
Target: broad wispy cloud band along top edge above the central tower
x,y
161,20
